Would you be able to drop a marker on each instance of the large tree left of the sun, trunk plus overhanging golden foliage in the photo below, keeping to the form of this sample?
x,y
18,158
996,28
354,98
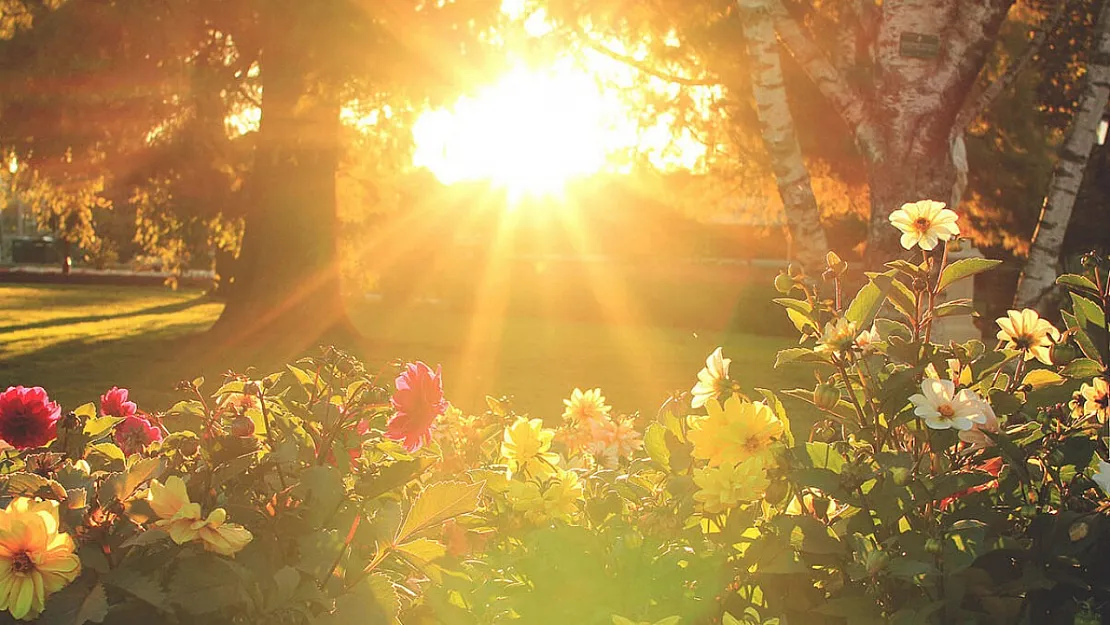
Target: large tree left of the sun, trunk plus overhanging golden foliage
x,y
309,58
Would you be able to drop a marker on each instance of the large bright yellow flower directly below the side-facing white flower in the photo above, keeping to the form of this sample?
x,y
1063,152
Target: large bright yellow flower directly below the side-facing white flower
x,y
734,434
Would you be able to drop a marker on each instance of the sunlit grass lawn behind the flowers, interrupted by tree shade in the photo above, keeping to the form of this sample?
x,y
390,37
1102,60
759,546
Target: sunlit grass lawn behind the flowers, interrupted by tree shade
x,y
77,341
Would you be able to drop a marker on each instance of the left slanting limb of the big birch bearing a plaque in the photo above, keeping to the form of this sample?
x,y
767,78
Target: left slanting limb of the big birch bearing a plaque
x,y
850,105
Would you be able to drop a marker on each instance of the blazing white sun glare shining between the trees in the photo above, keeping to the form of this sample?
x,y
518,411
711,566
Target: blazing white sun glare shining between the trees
x,y
531,133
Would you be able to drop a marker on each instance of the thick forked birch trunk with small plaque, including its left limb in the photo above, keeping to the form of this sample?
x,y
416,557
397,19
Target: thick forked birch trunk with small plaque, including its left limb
x,y
926,57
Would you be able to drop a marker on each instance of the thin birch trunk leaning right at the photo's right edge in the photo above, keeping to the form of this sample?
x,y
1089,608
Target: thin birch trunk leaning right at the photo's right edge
x,y
1038,278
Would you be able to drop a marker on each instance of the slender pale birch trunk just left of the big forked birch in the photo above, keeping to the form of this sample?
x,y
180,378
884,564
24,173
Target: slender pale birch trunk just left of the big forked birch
x,y
780,138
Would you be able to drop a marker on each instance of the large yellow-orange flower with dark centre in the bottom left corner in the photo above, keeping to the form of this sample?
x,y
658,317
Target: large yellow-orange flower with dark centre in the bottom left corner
x,y
36,560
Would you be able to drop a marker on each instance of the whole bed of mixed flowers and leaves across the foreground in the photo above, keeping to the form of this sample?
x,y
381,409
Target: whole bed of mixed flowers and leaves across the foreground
x,y
955,483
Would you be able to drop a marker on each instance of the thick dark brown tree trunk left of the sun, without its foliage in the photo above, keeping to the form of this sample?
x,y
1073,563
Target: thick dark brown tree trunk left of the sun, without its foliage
x,y
287,279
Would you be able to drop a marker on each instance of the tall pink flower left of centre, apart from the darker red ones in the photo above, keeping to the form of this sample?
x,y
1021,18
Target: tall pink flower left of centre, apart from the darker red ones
x,y
418,401
